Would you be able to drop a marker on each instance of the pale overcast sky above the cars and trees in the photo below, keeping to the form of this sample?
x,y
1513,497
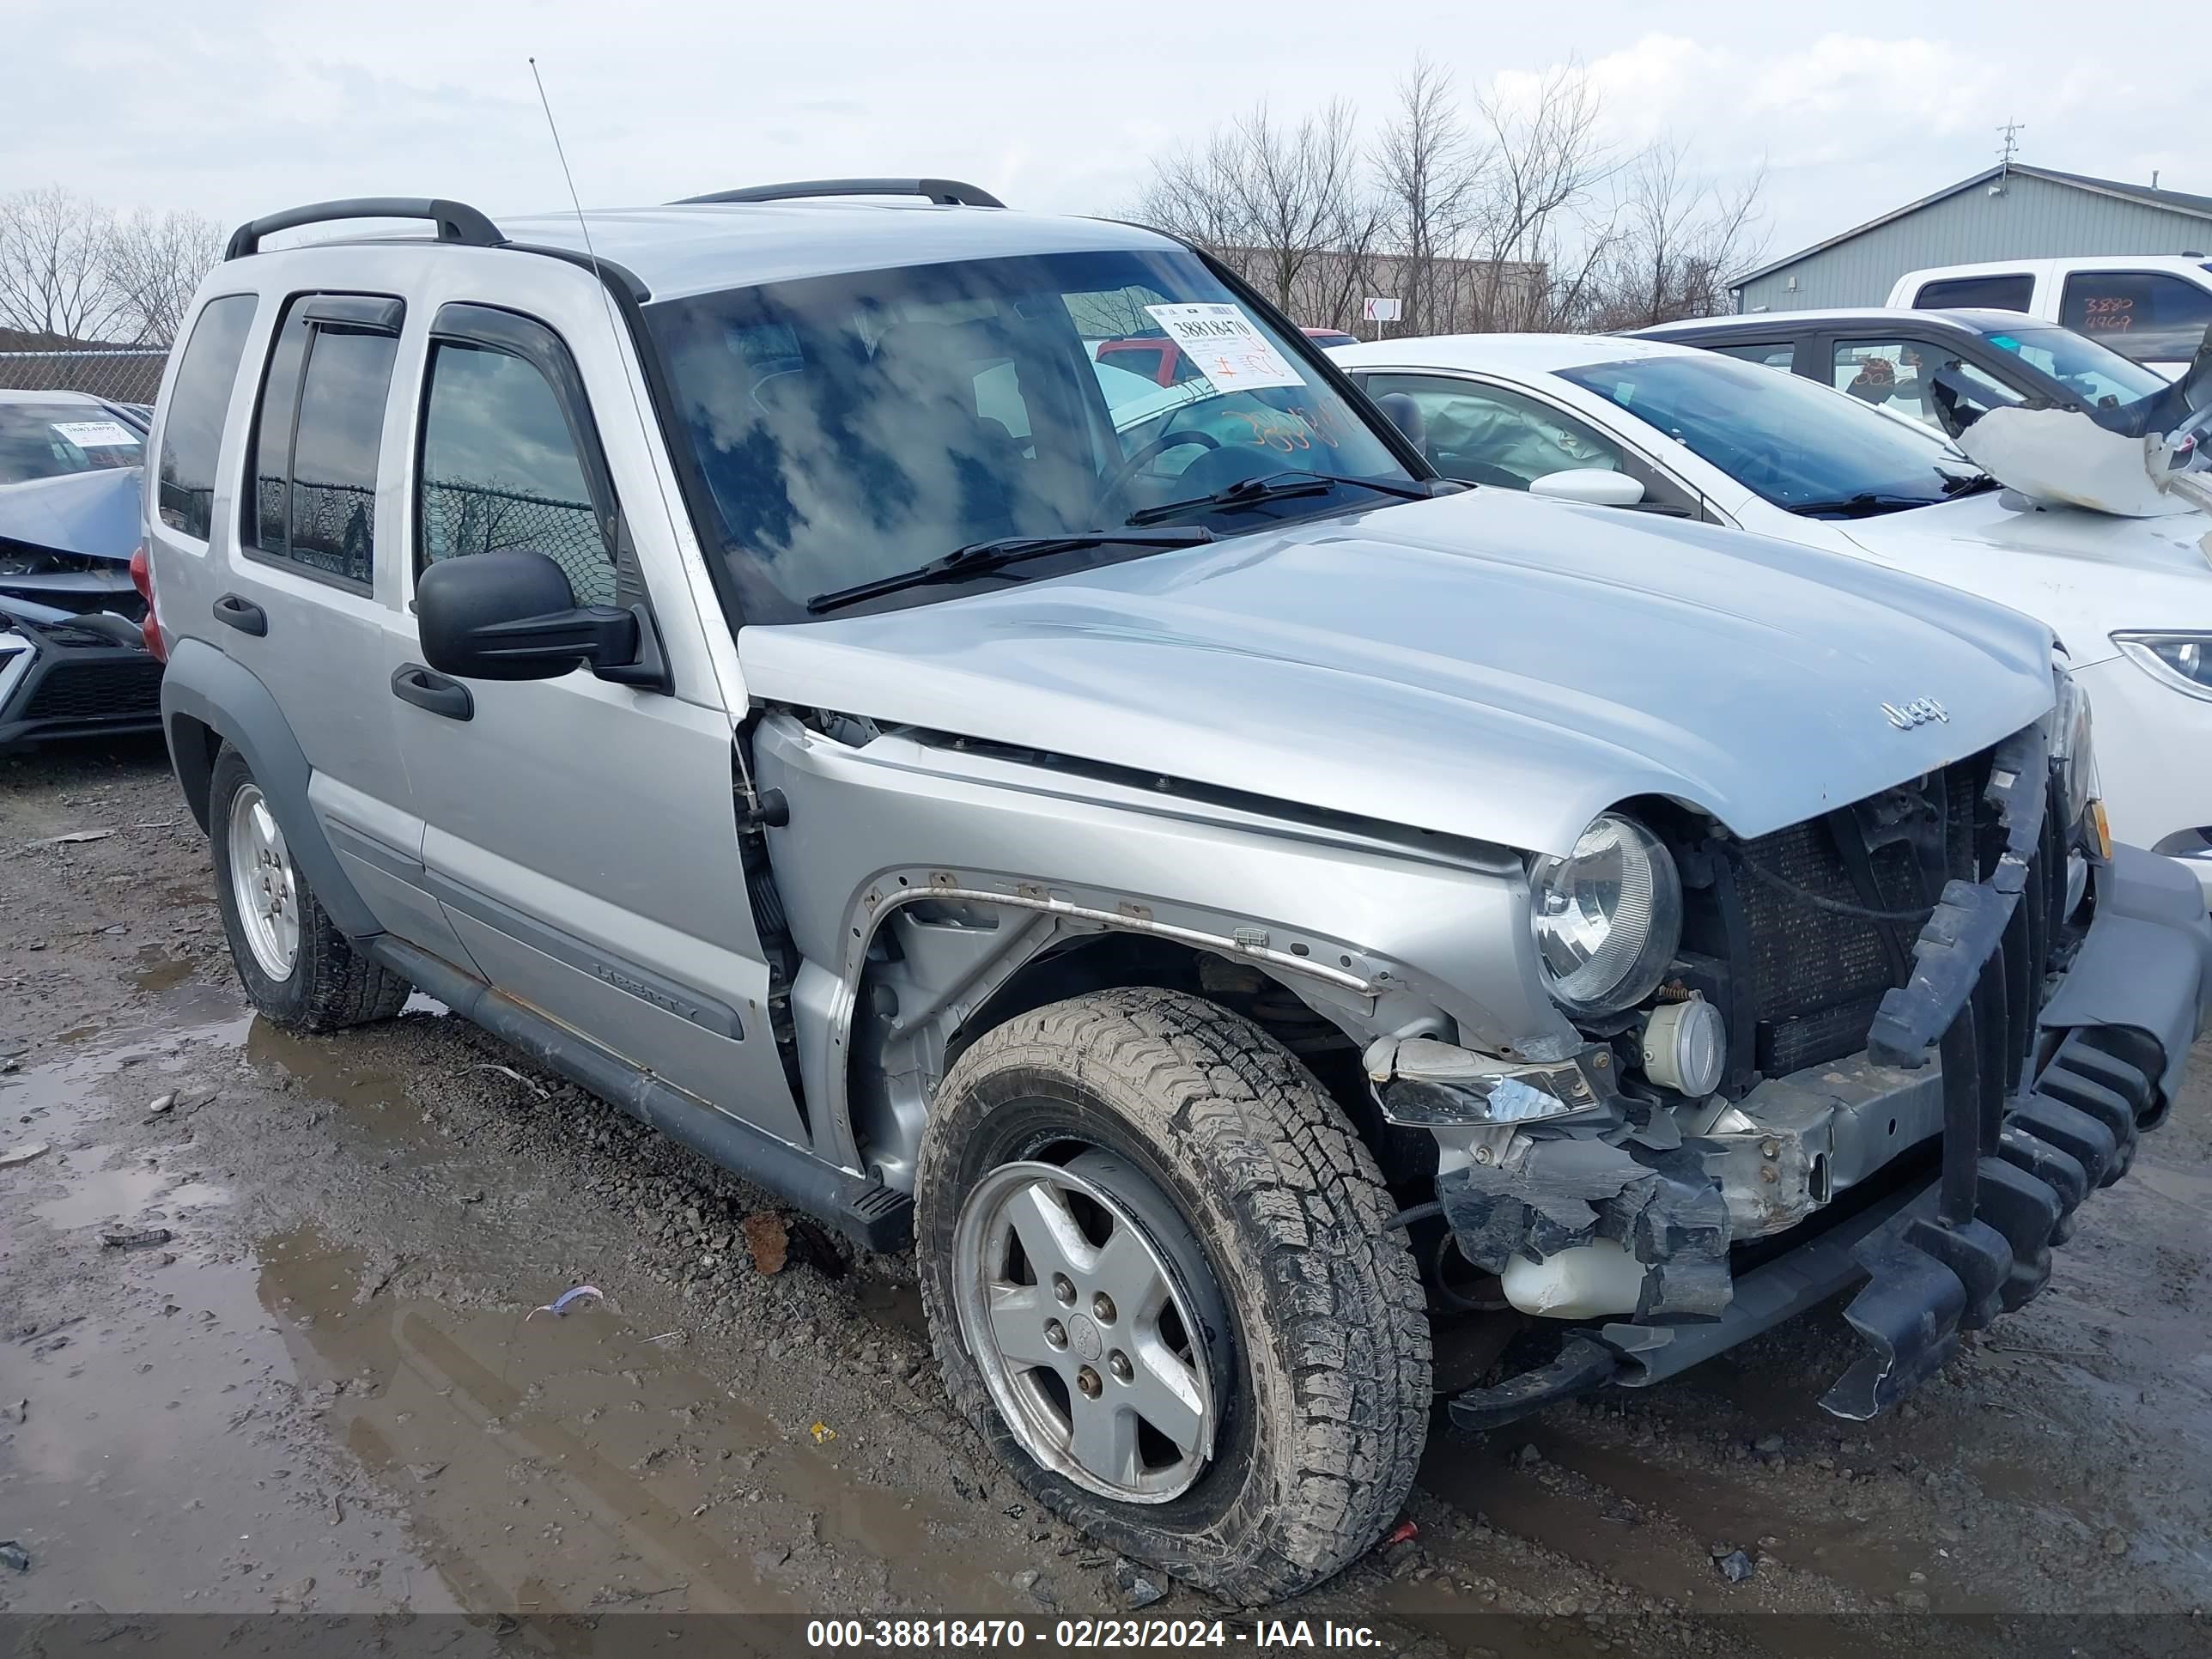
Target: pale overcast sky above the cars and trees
x,y
238,107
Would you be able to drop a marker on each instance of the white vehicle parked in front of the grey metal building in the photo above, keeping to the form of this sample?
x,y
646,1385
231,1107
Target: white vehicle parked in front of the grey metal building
x,y
2153,309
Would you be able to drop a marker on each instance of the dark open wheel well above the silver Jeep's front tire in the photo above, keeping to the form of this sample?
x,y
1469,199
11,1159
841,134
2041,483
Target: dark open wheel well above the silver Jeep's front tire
x,y
1112,961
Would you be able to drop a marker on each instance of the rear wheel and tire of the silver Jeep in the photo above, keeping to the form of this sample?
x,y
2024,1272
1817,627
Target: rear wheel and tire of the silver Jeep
x,y
295,963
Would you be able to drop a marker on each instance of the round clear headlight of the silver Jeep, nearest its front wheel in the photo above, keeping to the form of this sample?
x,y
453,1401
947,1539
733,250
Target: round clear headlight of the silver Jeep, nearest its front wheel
x,y
1607,917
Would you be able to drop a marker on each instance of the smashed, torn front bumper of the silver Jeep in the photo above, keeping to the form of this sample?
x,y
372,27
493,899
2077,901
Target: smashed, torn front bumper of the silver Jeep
x,y
1930,1182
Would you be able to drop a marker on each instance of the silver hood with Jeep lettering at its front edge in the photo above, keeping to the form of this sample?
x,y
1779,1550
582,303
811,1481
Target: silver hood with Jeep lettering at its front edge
x,y
1485,665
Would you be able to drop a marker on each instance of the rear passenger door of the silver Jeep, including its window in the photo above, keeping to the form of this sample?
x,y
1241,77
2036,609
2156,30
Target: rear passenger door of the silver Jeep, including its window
x,y
311,589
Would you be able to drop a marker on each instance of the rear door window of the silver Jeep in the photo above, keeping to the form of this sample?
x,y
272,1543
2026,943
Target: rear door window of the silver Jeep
x,y
320,435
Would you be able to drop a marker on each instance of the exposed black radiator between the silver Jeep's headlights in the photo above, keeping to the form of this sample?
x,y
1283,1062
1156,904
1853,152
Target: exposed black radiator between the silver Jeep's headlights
x,y
1817,974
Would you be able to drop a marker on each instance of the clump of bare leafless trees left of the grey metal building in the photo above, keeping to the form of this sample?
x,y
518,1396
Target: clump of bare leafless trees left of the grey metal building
x,y
1514,216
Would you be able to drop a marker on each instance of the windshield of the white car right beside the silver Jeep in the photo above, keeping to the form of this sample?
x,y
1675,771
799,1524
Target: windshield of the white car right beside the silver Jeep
x,y
1788,439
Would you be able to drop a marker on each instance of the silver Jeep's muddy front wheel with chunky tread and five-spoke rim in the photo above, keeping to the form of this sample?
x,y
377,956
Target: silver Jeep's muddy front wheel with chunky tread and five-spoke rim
x,y
1185,1142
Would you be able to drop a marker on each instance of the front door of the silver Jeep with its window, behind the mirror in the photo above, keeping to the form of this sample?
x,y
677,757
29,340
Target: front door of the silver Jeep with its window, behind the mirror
x,y
581,835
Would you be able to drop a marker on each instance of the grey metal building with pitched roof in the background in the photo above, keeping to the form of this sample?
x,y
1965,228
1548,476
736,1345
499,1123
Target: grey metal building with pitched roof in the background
x,y
2005,213
